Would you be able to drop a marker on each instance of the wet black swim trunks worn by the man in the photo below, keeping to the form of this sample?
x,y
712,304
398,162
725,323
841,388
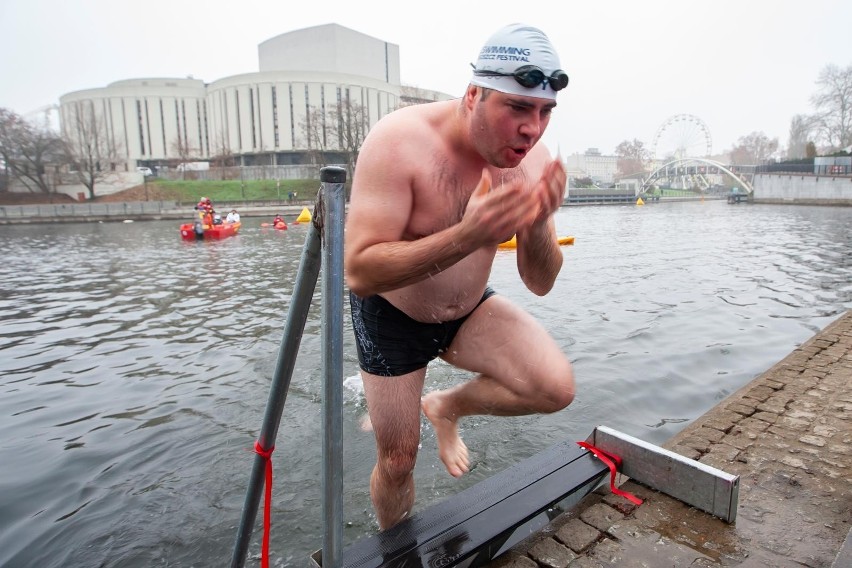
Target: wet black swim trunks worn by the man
x,y
391,344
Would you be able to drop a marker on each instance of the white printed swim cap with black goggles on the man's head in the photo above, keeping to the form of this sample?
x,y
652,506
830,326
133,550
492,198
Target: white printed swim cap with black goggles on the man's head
x,y
513,47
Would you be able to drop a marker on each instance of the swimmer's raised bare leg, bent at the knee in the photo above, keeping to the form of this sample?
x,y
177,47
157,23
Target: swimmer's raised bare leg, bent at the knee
x,y
522,372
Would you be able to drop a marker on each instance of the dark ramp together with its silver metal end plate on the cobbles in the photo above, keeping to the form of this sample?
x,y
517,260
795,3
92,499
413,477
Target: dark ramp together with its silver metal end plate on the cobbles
x,y
478,524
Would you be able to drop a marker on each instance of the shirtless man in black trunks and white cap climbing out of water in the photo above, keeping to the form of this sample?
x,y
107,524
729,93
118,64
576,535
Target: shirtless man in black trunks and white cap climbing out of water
x,y
437,188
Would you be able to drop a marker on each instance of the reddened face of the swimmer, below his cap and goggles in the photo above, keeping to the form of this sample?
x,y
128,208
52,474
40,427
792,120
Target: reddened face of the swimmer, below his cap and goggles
x,y
505,127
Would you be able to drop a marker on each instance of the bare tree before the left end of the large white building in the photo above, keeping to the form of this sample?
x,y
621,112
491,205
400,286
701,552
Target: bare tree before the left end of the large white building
x,y
91,153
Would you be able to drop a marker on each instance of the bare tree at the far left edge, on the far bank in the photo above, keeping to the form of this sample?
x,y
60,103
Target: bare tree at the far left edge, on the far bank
x,y
28,149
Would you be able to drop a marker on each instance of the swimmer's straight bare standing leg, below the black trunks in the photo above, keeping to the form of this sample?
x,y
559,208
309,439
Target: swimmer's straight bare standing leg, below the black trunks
x,y
393,403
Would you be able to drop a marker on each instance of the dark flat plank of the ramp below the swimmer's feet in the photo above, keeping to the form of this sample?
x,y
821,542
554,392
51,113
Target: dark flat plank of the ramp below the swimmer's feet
x,y
483,521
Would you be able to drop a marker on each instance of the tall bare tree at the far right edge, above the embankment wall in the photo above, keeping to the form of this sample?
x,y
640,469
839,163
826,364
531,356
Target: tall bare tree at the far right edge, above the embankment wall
x,y
833,102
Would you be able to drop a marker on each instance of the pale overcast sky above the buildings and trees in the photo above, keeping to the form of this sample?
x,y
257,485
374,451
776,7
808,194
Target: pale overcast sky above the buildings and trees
x,y
739,65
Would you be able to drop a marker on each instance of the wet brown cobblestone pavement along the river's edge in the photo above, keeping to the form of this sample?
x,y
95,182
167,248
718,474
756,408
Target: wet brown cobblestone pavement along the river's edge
x,y
787,434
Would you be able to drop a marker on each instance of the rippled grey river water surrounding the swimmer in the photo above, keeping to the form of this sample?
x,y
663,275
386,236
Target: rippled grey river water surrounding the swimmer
x,y
135,367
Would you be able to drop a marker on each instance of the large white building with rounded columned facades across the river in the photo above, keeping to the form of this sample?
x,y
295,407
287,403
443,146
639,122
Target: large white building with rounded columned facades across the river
x,y
258,118
